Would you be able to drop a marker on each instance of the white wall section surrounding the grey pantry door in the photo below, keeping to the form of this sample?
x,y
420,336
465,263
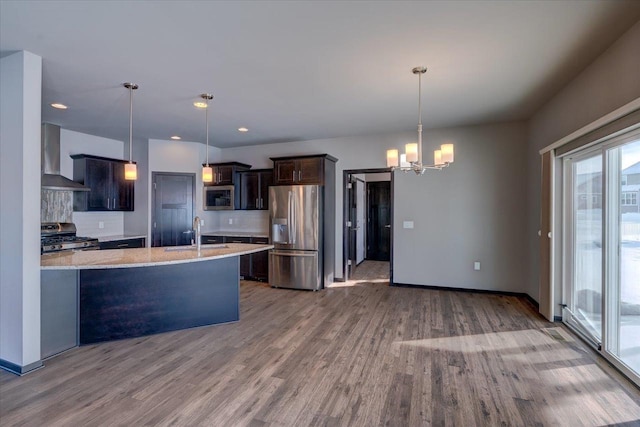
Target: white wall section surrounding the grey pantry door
x,y
181,157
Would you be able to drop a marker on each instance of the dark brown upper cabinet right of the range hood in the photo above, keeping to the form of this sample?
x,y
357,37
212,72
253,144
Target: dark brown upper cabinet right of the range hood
x,y
109,190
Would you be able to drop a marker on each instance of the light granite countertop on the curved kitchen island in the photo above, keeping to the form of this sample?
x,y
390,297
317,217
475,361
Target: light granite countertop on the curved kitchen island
x,y
144,257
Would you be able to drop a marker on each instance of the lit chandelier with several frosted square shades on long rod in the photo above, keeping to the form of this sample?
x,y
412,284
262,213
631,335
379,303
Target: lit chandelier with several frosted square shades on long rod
x,y
411,160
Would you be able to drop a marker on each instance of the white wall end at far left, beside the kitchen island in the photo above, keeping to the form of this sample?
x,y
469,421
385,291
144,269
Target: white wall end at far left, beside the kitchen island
x,y
20,107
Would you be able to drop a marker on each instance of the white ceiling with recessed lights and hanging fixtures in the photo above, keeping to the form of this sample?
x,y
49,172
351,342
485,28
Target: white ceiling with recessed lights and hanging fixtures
x,y
292,71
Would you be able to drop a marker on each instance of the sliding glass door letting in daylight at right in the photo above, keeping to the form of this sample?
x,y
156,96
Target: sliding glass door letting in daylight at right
x,y
601,222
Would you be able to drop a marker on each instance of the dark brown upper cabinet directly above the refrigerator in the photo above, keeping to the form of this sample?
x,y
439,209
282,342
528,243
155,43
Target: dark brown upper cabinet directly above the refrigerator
x,y
302,169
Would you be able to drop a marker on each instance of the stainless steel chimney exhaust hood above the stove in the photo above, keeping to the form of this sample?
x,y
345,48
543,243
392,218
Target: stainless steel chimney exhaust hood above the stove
x,y
50,161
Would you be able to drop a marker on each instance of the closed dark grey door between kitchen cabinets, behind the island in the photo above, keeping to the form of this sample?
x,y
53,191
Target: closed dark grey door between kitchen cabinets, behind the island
x,y
173,206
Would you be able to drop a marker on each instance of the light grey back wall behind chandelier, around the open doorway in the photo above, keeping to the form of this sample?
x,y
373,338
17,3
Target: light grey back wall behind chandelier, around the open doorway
x,y
477,205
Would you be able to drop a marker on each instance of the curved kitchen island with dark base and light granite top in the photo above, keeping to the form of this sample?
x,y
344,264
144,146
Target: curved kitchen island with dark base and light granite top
x,y
125,293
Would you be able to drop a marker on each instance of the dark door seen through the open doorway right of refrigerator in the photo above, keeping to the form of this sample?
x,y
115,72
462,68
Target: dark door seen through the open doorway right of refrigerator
x,y
379,220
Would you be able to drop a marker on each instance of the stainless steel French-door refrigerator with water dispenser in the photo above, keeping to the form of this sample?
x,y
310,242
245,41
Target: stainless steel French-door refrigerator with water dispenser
x,y
296,219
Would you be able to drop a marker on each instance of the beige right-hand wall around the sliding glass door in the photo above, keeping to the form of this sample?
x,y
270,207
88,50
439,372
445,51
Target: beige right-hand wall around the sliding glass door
x,y
610,82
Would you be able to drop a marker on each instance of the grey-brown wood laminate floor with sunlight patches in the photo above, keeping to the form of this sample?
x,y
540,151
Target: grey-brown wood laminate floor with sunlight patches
x,y
361,354
